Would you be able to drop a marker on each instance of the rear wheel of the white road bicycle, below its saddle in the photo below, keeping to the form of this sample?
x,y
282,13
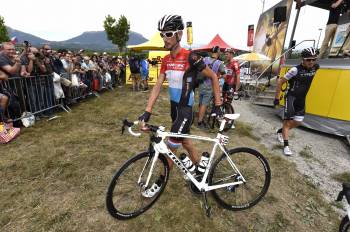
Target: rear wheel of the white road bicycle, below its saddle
x,y
248,169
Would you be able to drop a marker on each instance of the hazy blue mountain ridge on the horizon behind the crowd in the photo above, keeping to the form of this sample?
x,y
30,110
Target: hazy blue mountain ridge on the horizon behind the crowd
x,y
91,40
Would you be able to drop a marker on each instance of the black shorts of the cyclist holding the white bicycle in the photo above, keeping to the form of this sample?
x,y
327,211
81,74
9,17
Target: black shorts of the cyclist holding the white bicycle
x,y
182,117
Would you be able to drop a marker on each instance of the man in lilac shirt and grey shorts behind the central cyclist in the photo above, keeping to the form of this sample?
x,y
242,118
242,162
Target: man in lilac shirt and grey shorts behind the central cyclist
x,y
205,87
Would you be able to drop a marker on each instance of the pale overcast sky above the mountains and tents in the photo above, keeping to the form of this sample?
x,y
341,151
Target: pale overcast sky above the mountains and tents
x,y
64,19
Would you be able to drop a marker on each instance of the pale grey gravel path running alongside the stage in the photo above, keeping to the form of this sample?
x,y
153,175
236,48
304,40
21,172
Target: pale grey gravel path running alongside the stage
x,y
327,155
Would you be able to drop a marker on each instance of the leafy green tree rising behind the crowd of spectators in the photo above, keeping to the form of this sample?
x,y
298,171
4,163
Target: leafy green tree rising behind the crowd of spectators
x,y
117,32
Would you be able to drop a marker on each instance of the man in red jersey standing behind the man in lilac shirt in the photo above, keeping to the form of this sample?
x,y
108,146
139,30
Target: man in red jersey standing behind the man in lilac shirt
x,y
232,77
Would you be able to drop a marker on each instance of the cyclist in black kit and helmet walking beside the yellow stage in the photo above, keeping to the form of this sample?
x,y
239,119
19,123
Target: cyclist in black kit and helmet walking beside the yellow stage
x,y
299,80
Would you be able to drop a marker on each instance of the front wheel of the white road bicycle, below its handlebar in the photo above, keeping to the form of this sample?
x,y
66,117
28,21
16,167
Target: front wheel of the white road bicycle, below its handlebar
x,y
116,202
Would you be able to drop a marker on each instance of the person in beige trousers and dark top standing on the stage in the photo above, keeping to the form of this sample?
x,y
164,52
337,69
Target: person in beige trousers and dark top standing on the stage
x,y
332,23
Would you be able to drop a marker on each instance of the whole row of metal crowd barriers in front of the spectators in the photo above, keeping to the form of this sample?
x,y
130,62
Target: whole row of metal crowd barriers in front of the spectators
x,y
43,94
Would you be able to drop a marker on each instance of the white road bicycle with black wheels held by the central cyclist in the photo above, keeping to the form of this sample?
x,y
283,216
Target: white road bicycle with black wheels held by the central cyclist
x,y
237,180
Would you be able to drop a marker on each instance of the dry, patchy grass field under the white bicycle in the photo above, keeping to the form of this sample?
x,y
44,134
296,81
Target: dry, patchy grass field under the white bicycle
x,y
55,175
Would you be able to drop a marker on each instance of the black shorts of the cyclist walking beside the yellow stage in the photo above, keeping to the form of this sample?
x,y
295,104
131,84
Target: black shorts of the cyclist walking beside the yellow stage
x,y
294,108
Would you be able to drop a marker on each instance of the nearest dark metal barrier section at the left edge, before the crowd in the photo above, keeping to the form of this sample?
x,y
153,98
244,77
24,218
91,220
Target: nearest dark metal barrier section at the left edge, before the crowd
x,y
33,94
